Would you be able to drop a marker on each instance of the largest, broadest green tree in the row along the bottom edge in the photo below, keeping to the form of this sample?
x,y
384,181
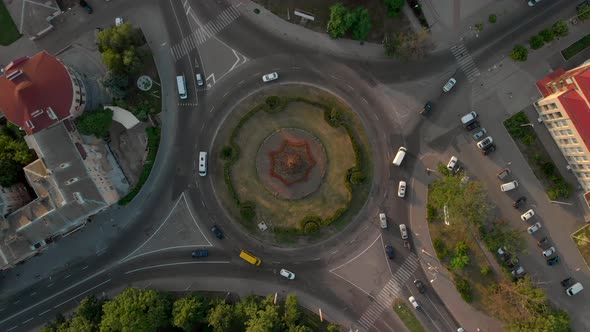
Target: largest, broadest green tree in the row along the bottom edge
x,y
136,310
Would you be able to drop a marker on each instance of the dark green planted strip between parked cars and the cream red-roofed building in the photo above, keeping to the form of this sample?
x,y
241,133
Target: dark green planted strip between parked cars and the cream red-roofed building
x,y
530,146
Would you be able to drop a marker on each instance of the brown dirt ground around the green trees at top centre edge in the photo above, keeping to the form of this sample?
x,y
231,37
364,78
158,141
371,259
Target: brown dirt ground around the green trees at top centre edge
x,y
382,24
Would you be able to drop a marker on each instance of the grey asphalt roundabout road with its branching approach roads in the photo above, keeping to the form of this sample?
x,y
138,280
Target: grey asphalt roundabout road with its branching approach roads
x,y
191,126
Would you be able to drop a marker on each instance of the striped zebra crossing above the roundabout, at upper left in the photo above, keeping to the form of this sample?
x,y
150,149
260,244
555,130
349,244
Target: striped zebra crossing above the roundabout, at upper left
x,y
202,34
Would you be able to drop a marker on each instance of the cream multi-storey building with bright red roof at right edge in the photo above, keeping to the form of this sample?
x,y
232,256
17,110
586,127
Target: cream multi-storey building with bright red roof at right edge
x,y
565,111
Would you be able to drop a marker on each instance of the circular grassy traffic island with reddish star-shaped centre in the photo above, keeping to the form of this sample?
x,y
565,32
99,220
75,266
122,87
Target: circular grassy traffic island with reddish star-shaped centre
x,y
295,164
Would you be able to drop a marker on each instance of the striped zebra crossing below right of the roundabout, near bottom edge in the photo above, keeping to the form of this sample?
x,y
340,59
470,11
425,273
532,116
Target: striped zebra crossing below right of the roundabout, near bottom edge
x,y
389,292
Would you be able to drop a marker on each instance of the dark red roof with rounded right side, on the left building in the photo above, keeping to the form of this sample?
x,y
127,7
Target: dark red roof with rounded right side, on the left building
x,y
36,92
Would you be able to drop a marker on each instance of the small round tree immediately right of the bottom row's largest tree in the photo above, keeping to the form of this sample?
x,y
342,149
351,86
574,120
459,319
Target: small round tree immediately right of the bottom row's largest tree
x,y
189,312
